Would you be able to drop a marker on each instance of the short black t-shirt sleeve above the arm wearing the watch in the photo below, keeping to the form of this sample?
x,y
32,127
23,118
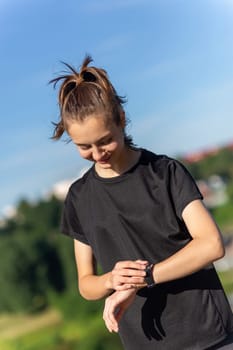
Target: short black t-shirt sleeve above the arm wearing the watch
x,y
183,187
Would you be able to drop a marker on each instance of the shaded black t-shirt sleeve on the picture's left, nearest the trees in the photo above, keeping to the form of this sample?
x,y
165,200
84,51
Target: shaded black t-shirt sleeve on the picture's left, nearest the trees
x,y
70,224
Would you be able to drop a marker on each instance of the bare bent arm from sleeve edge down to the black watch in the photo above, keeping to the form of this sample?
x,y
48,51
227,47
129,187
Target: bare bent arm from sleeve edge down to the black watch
x,y
205,247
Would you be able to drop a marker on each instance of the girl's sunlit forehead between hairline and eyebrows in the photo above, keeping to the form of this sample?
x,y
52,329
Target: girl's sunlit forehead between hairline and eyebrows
x,y
90,130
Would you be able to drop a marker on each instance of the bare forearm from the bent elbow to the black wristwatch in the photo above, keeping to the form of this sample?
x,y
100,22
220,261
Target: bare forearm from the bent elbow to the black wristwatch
x,y
196,255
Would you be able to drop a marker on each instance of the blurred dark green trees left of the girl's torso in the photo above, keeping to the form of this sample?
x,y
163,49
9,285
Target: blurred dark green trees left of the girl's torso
x,y
30,259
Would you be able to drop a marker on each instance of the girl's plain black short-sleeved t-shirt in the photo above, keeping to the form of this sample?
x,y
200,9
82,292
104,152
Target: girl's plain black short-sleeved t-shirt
x,y
138,215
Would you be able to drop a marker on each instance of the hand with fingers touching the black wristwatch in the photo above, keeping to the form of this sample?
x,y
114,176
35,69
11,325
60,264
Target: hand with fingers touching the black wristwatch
x,y
127,274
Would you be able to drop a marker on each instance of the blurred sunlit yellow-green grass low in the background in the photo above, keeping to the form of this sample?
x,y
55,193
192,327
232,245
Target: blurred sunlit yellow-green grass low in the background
x,y
53,330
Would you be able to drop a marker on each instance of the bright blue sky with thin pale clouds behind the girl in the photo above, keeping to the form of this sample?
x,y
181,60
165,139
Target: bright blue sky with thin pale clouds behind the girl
x,y
173,59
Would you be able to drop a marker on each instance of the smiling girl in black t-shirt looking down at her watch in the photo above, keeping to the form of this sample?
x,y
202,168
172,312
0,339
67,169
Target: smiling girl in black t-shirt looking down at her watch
x,y
140,216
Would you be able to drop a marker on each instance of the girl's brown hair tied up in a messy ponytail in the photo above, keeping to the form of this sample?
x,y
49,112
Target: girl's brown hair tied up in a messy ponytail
x,y
84,93
